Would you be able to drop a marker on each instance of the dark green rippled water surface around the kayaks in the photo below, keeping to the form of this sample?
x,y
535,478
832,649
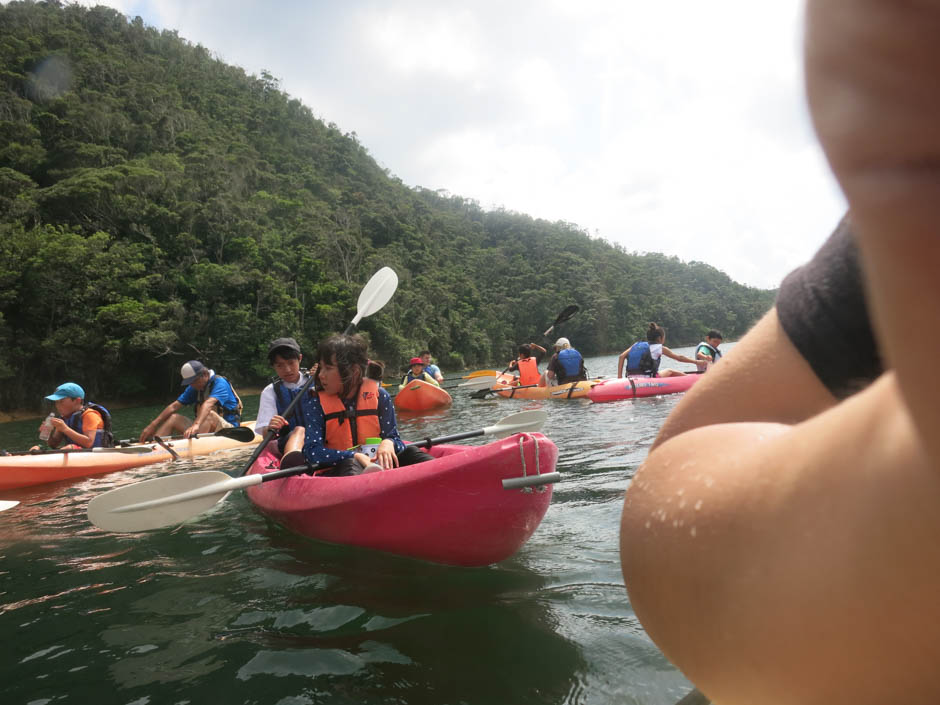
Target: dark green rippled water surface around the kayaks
x,y
230,608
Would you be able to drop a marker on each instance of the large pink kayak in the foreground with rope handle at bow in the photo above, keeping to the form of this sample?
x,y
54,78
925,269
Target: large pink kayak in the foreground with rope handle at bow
x,y
470,506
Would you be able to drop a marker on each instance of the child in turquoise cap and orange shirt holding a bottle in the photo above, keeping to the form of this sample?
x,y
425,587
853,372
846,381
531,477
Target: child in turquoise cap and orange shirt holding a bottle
x,y
78,424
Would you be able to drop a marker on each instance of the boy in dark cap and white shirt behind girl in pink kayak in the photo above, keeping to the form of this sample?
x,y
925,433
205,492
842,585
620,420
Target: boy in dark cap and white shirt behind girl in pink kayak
x,y
285,357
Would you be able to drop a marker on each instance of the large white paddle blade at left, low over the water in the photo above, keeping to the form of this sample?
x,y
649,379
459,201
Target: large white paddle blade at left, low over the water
x,y
163,501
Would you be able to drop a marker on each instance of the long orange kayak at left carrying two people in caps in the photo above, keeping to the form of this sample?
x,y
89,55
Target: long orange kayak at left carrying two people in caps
x,y
52,466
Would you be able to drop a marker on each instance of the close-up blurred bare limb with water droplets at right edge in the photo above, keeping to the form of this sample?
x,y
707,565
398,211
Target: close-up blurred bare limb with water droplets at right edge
x,y
811,574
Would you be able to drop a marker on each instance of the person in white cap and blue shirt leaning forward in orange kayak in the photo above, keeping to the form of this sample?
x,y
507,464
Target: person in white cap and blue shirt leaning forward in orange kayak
x,y
217,405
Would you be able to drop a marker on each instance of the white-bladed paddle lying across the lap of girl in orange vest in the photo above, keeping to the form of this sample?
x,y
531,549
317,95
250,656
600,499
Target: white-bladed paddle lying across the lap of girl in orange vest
x,y
170,500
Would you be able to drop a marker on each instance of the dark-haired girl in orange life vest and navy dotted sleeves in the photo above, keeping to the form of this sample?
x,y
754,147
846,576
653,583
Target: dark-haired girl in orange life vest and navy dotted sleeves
x,y
349,410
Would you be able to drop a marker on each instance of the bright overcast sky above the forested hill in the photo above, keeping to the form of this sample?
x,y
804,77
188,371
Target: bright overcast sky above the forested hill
x,y
676,127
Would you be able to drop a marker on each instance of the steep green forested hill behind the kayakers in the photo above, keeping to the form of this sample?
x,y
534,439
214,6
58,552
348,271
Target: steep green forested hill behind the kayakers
x,y
158,205
